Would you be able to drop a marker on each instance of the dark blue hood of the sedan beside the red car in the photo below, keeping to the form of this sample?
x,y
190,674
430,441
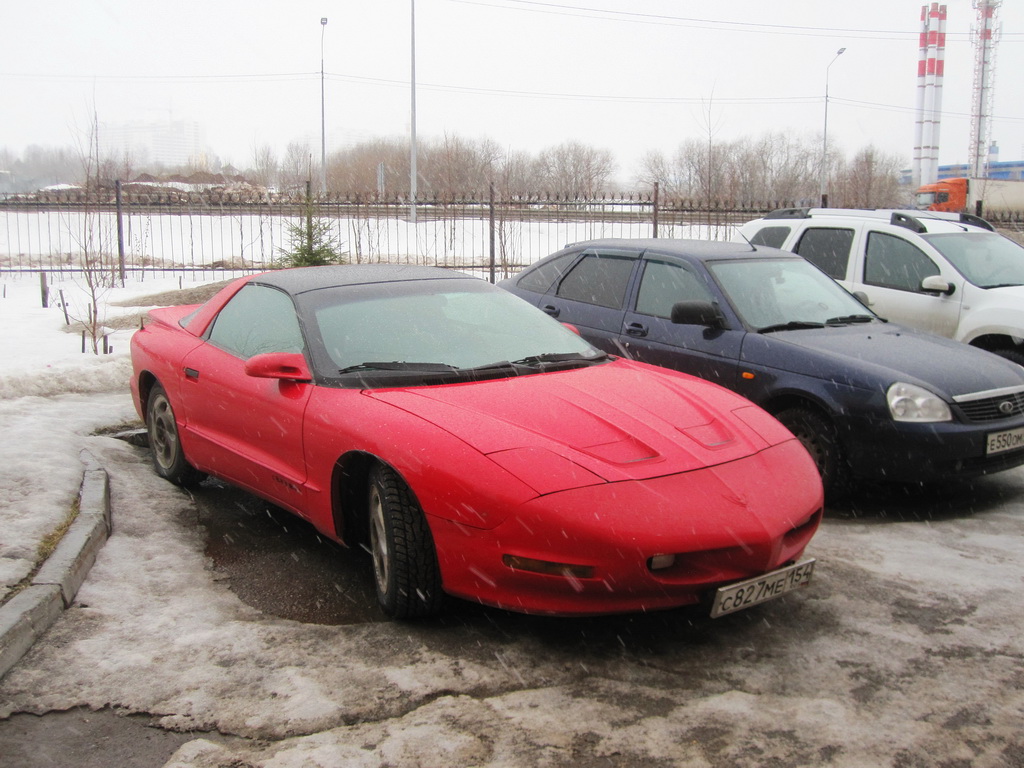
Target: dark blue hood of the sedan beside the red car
x,y
875,355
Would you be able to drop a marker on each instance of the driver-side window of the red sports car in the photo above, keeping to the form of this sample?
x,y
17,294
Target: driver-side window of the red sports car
x,y
258,320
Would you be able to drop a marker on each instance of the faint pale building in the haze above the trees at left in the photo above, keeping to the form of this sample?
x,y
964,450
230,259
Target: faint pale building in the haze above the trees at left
x,y
167,144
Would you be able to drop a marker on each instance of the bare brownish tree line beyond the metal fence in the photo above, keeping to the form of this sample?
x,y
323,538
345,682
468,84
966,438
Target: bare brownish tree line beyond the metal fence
x,y
774,167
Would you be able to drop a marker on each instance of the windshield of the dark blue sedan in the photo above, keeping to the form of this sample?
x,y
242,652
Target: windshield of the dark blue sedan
x,y
780,294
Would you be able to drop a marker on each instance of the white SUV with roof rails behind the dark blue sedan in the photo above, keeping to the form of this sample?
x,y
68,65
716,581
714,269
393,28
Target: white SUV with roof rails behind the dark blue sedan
x,y
948,274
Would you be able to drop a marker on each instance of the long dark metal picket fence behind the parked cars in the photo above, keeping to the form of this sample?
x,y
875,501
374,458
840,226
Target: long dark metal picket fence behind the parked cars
x,y
172,232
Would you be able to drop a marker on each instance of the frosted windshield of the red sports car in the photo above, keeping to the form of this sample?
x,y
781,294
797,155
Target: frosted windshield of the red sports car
x,y
423,329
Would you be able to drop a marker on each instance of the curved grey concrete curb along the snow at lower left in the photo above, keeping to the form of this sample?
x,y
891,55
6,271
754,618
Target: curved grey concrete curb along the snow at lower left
x,y
33,611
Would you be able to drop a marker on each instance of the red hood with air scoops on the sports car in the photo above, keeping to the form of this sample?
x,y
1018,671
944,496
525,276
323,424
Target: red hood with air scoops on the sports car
x,y
618,421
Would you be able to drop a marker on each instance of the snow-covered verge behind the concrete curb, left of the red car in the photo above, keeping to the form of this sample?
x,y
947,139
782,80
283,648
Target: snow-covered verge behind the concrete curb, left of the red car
x,y
53,397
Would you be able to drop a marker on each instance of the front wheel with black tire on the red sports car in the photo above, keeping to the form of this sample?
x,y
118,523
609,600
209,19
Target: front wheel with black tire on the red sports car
x,y
406,571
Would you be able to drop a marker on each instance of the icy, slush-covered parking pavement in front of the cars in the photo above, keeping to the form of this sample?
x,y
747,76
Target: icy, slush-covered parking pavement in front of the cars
x,y
214,631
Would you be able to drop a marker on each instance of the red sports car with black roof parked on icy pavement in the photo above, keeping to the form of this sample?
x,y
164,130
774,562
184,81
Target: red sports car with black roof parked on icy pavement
x,y
476,446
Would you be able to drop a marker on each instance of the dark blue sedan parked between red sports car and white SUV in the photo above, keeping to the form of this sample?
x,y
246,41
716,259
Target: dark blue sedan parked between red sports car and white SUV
x,y
868,399
